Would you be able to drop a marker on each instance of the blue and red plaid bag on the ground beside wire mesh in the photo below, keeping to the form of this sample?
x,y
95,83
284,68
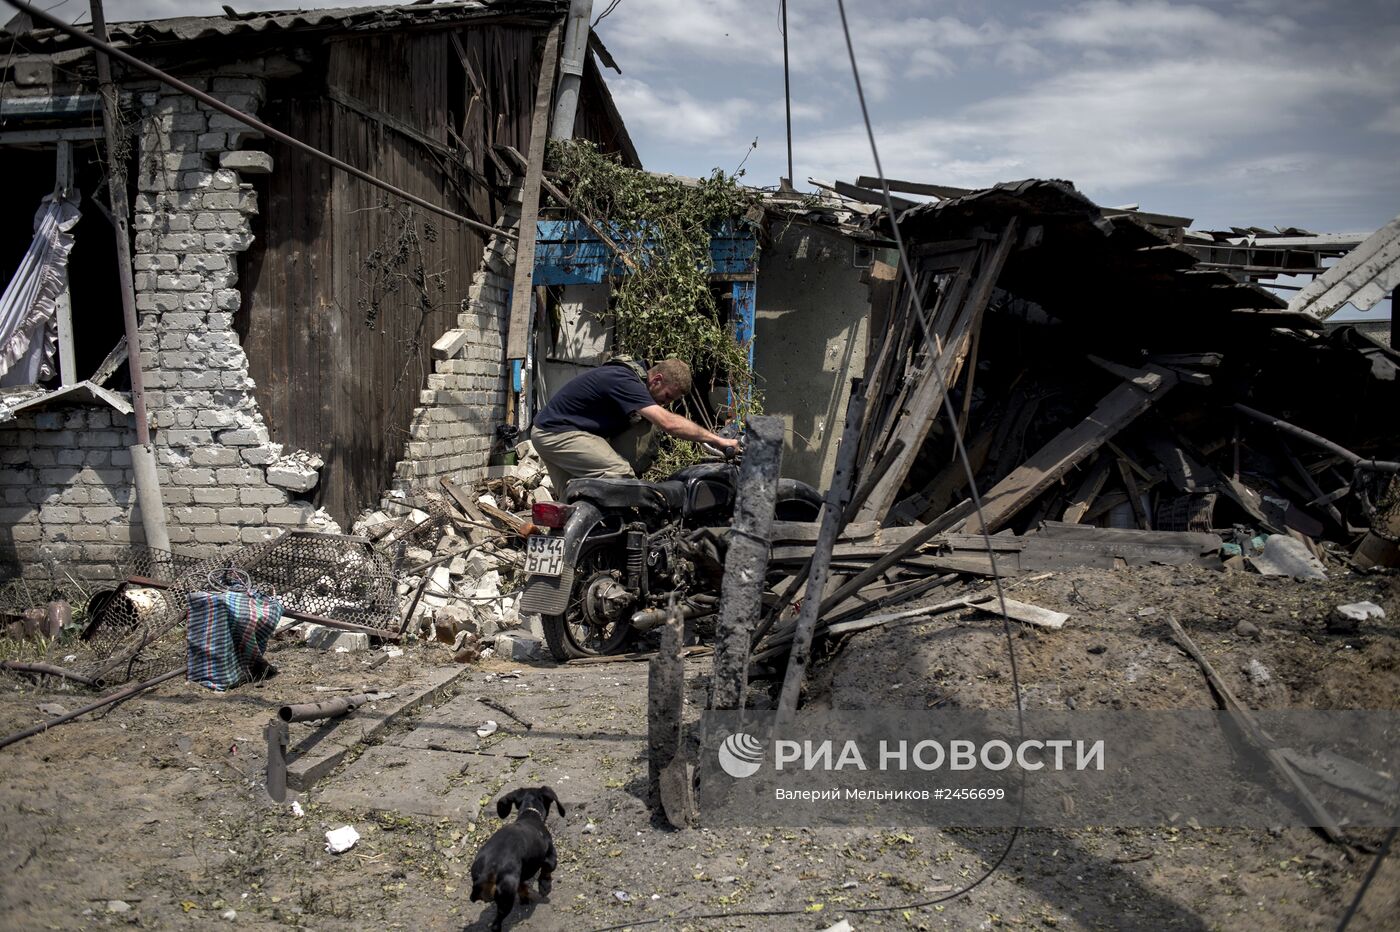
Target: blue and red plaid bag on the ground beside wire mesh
x,y
227,635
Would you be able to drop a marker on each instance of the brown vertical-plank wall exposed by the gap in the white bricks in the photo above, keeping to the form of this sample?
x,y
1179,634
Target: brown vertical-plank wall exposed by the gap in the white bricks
x,y
327,381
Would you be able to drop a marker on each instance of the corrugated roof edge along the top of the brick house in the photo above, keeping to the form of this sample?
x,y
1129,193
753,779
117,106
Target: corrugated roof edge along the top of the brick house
x,y
344,19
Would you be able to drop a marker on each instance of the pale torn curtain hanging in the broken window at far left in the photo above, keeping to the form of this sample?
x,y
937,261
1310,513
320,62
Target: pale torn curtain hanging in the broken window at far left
x,y
29,330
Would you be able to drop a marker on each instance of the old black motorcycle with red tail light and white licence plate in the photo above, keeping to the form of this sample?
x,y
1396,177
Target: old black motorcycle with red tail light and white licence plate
x,y
619,549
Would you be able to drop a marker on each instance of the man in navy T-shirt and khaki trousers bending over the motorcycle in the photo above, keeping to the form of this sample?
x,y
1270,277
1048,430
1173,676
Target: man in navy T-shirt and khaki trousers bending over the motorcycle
x,y
601,425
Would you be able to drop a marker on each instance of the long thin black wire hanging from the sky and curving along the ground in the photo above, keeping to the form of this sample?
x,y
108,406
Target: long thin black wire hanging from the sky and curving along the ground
x,y
976,499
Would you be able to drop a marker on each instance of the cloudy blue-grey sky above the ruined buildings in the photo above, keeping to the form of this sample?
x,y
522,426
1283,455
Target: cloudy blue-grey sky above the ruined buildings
x,y
1234,113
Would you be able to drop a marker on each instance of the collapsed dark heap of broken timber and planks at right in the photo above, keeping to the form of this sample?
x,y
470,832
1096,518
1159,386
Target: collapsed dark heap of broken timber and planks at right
x,y
1116,405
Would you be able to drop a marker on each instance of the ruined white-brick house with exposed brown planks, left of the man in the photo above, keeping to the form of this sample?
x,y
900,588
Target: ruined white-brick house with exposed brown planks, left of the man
x,y
288,311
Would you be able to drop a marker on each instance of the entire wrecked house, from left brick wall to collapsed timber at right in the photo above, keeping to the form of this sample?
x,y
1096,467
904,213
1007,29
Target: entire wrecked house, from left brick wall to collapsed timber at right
x,y
317,346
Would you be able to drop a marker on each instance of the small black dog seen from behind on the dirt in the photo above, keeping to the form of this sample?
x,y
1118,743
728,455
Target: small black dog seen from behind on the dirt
x,y
516,853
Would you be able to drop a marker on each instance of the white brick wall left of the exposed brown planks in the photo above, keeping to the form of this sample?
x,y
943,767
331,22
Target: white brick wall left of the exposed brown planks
x,y
68,481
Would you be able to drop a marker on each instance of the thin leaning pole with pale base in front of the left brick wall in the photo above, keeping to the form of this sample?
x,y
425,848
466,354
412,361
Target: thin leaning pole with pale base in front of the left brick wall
x,y
143,456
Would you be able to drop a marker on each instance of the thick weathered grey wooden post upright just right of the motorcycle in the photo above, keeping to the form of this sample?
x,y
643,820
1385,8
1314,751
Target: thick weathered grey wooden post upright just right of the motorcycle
x,y
747,563
